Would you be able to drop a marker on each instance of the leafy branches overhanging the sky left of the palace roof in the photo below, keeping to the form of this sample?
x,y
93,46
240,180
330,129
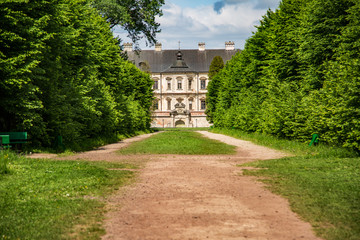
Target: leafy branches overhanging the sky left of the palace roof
x,y
135,16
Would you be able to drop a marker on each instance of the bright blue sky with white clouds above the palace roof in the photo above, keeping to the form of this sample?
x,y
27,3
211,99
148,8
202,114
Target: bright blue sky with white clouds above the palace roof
x,y
209,21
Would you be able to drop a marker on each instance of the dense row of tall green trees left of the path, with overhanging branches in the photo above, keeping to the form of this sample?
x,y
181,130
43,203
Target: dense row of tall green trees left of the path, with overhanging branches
x,y
62,74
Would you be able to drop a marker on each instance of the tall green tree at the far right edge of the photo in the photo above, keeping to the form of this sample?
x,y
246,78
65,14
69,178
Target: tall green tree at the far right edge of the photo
x,y
339,98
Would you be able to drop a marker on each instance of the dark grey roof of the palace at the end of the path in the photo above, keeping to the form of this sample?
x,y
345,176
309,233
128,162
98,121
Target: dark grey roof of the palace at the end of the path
x,y
167,61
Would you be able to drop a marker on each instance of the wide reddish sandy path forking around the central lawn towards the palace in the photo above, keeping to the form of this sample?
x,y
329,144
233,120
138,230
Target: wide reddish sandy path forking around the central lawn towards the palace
x,y
200,197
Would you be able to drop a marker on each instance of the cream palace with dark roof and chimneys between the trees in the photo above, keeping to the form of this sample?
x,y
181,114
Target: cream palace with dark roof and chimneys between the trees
x,y
180,82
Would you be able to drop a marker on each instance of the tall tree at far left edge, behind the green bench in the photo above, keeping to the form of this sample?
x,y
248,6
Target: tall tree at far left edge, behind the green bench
x,y
21,42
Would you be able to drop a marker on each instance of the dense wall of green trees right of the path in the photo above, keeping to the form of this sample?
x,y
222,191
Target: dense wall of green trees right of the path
x,y
299,74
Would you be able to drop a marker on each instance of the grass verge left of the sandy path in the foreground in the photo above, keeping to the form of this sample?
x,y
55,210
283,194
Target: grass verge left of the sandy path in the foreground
x,y
45,199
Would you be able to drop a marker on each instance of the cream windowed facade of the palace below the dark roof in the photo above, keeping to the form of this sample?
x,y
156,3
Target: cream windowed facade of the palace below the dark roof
x,y
168,92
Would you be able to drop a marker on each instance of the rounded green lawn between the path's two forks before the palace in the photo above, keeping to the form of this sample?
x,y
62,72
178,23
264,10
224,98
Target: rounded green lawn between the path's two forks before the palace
x,y
178,141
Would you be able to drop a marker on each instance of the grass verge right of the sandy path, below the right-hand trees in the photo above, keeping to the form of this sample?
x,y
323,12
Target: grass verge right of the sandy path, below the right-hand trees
x,y
321,183
